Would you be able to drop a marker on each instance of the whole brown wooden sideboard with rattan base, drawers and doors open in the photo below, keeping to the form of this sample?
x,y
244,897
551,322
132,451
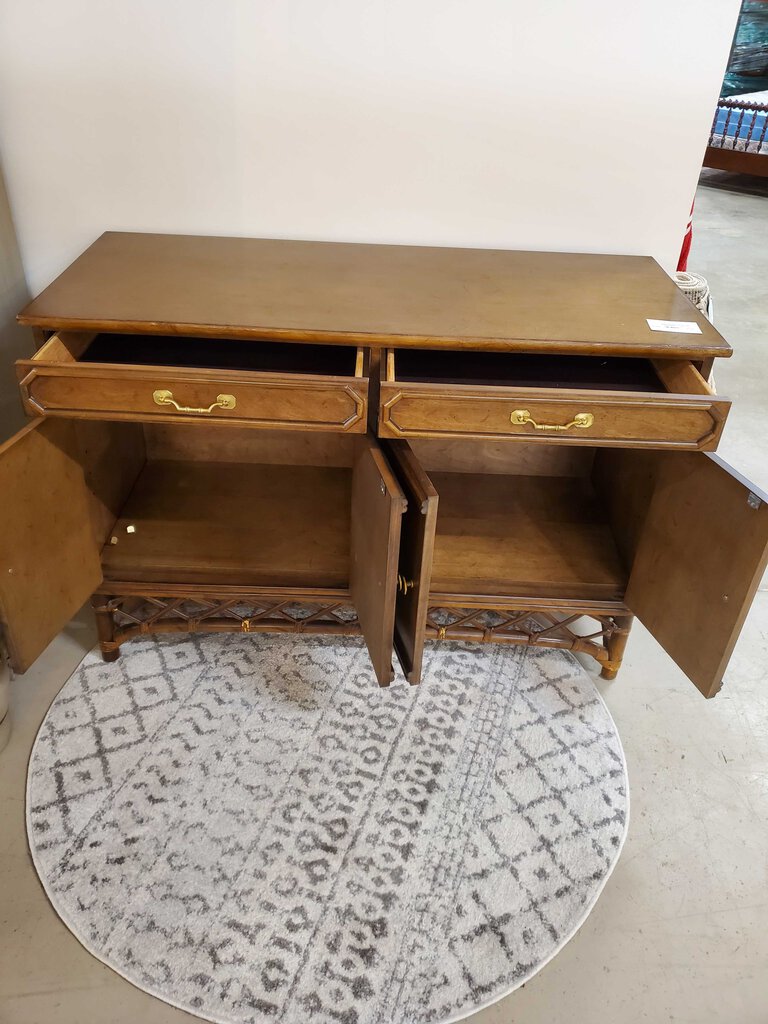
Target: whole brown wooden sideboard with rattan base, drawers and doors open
x,y
404,443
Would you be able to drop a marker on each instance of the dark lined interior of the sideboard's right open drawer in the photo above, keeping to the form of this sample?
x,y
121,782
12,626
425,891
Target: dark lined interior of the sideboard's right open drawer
x,y
525,370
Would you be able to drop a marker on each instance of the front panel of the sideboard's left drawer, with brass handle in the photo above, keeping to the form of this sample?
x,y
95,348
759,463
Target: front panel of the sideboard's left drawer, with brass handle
x,y
272,402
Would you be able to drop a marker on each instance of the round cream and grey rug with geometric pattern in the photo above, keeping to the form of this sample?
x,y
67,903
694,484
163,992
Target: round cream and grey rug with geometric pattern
x,y
249,829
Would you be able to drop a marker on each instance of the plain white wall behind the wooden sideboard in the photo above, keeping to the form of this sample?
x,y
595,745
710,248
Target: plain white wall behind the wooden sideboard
x,y
545,124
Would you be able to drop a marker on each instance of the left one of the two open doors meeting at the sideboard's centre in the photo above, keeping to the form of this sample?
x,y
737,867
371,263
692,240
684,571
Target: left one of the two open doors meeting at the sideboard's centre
x,y
378,505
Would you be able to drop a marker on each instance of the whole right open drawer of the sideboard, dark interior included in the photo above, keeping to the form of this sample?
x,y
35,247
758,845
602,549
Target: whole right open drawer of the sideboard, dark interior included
x,y
631,403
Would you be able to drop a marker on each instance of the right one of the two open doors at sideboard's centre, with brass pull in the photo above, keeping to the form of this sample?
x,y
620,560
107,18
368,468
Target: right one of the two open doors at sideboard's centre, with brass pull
x,y
415,570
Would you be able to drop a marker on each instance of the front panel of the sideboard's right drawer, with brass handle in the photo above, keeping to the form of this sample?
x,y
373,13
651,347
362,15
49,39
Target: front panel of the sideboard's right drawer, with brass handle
x,y
694,422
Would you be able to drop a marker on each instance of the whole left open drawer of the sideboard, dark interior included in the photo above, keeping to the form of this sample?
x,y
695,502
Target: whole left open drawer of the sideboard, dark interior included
x,y
170,378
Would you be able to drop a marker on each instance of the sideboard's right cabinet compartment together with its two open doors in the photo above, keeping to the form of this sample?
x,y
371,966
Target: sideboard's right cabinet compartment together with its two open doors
x,y
677,539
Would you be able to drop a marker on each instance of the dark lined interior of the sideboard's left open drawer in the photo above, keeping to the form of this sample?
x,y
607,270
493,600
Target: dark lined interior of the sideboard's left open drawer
x,y
223,354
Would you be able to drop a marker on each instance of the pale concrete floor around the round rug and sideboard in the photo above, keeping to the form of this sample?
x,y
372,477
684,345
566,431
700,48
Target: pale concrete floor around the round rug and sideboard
x,y
681,932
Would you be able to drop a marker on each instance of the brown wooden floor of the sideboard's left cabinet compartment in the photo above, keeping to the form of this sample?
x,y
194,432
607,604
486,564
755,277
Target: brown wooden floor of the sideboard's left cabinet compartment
x,y
239,524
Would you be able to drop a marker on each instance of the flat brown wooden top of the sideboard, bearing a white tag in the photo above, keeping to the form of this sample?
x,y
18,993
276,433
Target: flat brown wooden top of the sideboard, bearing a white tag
x,y
373,295
